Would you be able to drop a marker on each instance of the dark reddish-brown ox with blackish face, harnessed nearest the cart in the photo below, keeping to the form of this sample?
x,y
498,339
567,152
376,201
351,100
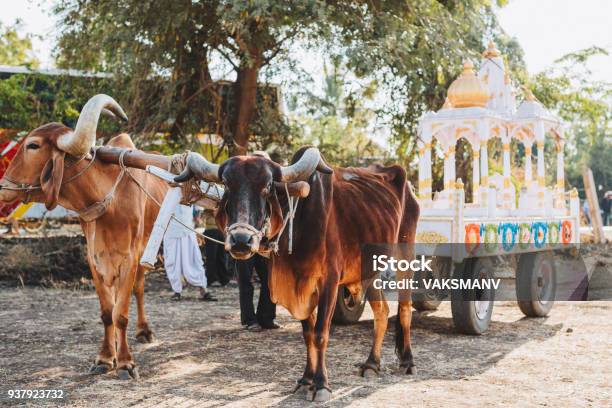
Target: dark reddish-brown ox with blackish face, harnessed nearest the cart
x,y
345,209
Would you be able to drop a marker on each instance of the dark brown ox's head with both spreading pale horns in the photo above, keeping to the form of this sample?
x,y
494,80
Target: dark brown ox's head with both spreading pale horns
x,y
250,211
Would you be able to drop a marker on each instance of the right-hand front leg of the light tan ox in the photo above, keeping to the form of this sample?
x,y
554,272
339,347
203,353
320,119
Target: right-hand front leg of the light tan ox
x,y
126,368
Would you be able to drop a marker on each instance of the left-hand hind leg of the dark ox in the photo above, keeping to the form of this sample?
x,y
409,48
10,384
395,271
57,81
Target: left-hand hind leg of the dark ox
x,y
379,305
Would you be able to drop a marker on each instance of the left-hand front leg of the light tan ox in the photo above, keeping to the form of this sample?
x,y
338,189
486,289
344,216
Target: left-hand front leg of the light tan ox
x,y
106,357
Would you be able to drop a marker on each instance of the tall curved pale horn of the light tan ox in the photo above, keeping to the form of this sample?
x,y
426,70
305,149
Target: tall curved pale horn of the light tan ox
x,y
79,142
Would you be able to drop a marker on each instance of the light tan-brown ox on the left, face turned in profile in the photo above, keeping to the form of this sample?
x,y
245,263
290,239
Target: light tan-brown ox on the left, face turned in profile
x,y
54,165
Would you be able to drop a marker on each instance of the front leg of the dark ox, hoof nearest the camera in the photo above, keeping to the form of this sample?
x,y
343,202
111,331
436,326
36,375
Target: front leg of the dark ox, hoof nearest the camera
x,y
320,390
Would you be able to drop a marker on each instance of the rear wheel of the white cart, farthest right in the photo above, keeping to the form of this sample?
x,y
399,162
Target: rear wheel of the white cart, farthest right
x,y
536,283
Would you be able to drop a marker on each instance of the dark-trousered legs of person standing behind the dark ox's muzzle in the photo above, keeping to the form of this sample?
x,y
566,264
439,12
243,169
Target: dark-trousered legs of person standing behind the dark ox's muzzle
x,y
266,310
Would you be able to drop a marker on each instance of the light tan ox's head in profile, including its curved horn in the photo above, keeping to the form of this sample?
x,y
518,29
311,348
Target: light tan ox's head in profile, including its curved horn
x,y
37,170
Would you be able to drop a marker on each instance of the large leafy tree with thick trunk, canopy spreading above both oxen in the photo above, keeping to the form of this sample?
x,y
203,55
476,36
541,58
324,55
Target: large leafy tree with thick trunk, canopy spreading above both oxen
x,y
412,47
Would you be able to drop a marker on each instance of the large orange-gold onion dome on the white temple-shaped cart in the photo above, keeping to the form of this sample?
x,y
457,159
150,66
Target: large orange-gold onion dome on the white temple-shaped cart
x,y
468,90
